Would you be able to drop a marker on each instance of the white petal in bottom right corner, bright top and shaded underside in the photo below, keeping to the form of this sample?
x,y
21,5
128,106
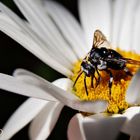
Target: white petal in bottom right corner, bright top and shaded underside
x,y
132,125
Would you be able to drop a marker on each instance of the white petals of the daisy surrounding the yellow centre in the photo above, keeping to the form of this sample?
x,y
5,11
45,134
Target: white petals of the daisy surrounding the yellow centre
x,y
54,36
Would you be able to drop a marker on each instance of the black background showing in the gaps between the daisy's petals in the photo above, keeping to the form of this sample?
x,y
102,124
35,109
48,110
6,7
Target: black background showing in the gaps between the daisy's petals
x,y
12,56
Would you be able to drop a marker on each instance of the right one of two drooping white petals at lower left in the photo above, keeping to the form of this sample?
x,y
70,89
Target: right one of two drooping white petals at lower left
x,y
45,121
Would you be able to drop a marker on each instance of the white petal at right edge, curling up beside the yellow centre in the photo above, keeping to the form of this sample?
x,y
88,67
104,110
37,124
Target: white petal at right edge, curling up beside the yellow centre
x,y
132,94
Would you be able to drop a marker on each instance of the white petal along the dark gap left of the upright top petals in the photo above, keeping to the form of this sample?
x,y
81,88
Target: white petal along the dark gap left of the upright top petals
x,y
69,27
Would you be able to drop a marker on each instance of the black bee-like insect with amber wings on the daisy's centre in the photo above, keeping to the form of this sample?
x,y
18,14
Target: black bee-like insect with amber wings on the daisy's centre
x,y
102,58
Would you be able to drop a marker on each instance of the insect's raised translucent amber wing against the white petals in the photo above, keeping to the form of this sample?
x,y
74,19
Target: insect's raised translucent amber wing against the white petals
x,y
99,40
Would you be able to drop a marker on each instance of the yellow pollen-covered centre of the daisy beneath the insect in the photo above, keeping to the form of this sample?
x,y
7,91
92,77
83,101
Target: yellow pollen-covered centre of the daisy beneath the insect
x,y
117,102
